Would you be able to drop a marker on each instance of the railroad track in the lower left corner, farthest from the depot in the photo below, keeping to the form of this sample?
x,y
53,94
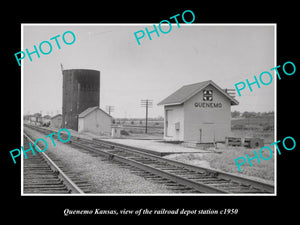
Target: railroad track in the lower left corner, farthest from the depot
x,y
41,175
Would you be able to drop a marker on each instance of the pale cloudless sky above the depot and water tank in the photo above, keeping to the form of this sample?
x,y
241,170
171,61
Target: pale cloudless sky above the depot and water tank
x,y
225,54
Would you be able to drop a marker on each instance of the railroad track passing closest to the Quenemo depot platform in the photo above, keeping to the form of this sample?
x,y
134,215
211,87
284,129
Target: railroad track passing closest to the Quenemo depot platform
x,y
182,177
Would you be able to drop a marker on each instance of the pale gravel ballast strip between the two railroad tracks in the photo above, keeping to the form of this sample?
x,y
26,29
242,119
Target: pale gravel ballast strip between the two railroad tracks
x,y
104,176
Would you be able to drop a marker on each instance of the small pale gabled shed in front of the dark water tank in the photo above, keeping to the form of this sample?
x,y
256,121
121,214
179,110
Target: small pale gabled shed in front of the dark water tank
x,y
94,120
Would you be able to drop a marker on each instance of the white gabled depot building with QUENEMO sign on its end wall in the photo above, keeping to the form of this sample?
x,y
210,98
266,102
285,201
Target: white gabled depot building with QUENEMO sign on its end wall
x,y
198,113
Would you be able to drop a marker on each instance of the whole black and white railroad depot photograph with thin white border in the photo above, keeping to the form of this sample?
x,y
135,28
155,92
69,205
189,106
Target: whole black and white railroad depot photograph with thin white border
x,y
161,117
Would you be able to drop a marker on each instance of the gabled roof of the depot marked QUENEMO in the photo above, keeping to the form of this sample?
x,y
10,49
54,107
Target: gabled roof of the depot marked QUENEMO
x,y
187,91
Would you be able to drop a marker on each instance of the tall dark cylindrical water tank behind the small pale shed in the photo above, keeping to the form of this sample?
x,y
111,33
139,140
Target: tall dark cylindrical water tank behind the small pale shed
x,y
81,90
